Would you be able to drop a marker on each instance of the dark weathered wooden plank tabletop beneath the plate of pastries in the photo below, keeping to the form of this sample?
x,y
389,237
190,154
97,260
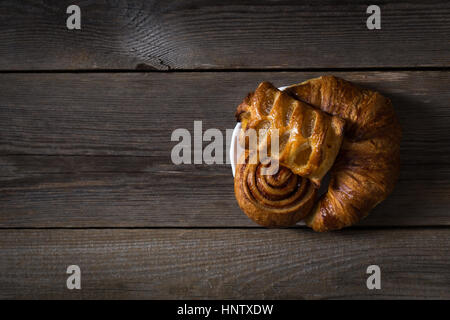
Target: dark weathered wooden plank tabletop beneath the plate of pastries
x,y
86,177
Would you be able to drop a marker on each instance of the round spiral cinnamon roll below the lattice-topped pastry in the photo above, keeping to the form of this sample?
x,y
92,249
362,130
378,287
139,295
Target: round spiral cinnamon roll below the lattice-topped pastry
x,y
277,200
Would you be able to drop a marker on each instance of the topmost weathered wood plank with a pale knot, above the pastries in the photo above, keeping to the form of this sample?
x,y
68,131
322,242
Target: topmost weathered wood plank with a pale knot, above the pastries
x,y
199,34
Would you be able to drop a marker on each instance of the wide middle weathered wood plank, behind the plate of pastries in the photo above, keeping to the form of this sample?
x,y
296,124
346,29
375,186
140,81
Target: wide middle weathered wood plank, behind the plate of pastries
x,y
68,126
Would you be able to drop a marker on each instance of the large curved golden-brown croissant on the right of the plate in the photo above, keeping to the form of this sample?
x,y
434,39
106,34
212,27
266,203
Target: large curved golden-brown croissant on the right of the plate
x,y
367,166
